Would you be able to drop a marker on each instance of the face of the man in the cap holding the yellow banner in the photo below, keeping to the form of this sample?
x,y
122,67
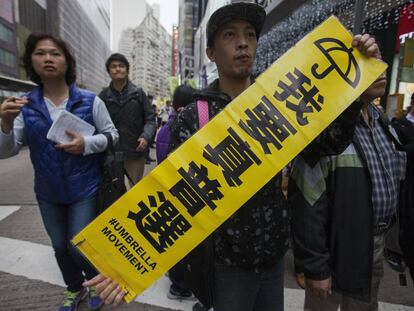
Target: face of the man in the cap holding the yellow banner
x,y
234,49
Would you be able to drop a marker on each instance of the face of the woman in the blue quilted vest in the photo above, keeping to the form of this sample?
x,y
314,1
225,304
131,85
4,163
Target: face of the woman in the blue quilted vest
x,y
48,60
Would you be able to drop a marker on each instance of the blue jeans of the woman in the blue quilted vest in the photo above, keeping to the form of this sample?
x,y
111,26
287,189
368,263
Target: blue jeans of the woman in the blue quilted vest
x,y
62,223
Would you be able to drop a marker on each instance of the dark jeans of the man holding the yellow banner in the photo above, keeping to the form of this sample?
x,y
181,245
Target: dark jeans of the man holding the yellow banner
x,y
248,290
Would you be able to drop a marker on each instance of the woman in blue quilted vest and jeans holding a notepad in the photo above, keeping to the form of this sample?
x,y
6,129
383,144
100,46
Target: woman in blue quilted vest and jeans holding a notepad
x,y
67,175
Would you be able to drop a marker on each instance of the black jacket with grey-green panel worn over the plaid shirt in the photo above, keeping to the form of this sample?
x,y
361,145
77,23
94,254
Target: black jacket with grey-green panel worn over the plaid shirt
x,y
332,219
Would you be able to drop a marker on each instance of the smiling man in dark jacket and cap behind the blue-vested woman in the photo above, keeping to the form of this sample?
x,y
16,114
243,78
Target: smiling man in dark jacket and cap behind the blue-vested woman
x,y
132,115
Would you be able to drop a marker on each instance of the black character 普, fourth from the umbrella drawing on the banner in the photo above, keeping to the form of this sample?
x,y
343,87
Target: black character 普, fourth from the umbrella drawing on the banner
x,y
195,190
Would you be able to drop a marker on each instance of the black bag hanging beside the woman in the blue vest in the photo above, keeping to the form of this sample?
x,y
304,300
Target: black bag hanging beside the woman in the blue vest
x,y
112,185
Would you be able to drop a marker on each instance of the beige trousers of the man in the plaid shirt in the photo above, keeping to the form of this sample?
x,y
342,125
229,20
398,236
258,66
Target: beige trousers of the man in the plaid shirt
x,y
314,303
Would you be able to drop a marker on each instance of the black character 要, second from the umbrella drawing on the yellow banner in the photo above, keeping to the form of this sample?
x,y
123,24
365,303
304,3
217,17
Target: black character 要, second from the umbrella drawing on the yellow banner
x,y
267,125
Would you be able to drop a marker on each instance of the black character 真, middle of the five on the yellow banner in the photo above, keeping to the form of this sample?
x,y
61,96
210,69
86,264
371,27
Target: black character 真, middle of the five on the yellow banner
x,y
233,155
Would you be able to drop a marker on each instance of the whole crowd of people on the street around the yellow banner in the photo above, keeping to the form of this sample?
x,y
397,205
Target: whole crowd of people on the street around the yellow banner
x,y
334,204
